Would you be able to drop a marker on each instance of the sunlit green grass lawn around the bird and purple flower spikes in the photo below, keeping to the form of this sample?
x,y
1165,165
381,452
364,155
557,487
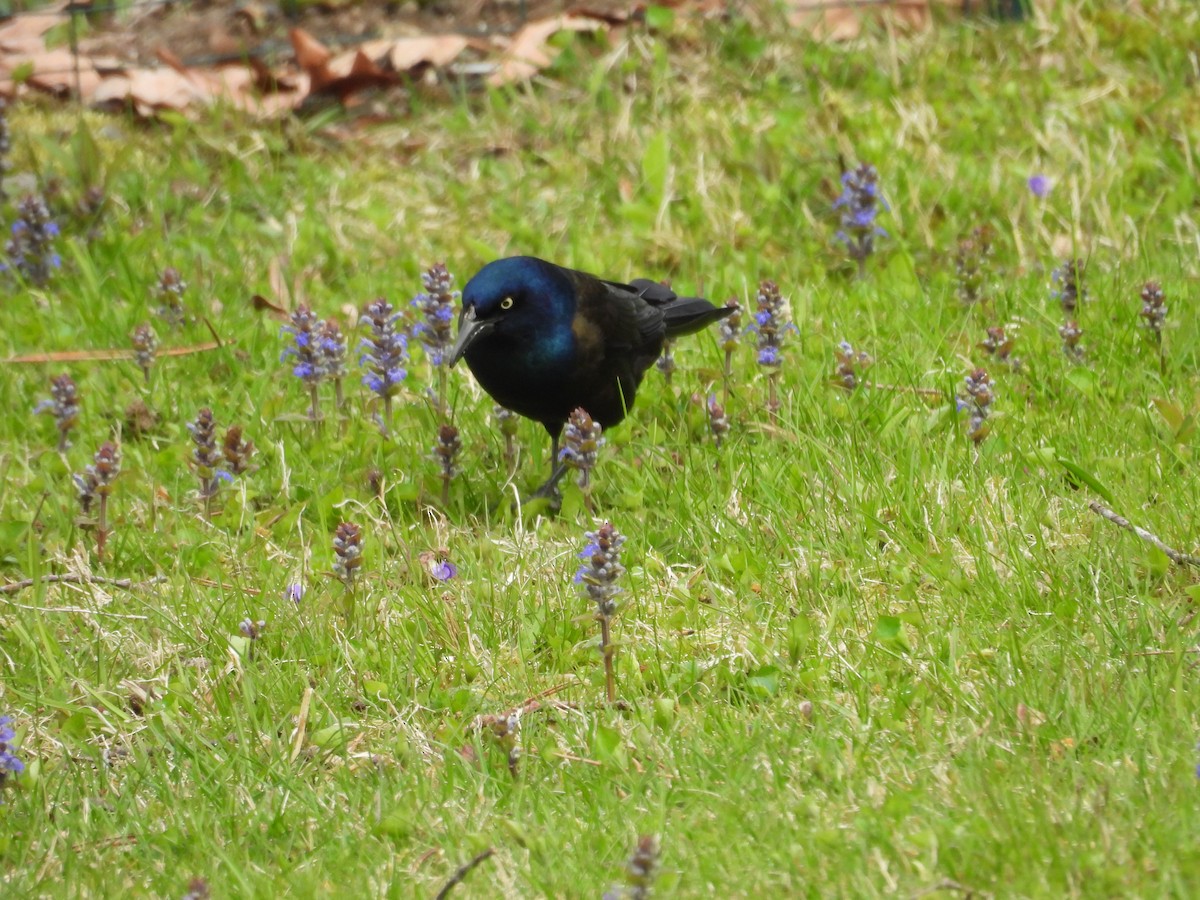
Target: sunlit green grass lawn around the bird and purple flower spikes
x,y
859,655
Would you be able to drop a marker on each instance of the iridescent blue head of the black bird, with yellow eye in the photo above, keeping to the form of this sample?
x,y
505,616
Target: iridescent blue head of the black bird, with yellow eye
x,y
524,298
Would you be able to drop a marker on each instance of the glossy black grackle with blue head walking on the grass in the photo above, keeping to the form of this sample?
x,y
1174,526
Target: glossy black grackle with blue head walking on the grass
x,y
545,341
